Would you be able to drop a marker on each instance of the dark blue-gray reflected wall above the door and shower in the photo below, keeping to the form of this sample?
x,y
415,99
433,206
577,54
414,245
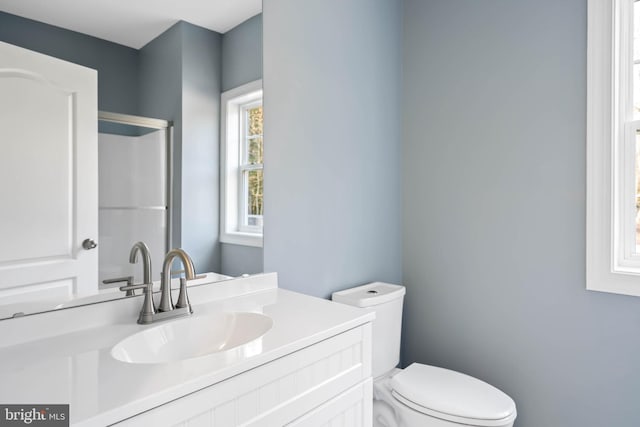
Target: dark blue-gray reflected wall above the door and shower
x,y
117,65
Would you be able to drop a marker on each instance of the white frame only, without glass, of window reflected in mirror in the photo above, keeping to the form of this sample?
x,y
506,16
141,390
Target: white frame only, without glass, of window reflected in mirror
x,y
232,207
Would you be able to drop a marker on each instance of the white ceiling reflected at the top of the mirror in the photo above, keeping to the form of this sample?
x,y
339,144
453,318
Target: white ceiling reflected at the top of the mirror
x,y
133,23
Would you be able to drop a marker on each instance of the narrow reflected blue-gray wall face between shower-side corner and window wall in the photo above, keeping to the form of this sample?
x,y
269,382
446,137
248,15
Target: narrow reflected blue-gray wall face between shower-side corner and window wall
x,y
201,80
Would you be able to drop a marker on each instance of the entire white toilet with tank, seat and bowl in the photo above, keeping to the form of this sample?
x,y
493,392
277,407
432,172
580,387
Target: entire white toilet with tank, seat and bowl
x,y
420,395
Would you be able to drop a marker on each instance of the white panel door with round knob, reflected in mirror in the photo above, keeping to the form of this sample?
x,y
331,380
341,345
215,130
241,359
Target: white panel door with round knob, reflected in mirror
x,y
48,174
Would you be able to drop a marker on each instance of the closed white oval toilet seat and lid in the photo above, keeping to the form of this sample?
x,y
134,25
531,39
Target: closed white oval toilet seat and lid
x,y
452,396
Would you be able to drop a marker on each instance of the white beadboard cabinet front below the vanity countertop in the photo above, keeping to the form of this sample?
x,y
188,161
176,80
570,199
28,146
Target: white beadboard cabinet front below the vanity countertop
x,y
326,383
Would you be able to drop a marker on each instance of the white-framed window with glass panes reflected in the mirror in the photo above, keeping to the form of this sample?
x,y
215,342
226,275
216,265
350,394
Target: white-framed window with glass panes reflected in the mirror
x,y
242,165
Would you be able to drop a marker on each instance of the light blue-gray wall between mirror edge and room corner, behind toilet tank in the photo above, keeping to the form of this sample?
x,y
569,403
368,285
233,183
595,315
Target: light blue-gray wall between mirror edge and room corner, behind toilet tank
x,y
332,158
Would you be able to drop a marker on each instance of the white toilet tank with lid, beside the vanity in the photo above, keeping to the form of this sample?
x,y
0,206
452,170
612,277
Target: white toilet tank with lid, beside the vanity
x,y
385,300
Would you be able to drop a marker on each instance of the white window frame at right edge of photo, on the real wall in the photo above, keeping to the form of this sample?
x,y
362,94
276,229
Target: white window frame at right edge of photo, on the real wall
x,y
613,264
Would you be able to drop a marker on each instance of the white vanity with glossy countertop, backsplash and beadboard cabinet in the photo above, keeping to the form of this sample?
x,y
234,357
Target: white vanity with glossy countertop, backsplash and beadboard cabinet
x,y
312,366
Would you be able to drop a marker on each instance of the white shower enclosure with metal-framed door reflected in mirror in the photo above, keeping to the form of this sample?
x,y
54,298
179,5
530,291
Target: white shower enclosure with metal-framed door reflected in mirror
x,y
134,199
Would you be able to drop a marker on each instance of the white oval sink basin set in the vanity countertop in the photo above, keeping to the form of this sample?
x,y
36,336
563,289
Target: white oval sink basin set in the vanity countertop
x,y
192,337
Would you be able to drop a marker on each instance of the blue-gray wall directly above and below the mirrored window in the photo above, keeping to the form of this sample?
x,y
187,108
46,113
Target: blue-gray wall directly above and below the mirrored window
x,y
241,64
